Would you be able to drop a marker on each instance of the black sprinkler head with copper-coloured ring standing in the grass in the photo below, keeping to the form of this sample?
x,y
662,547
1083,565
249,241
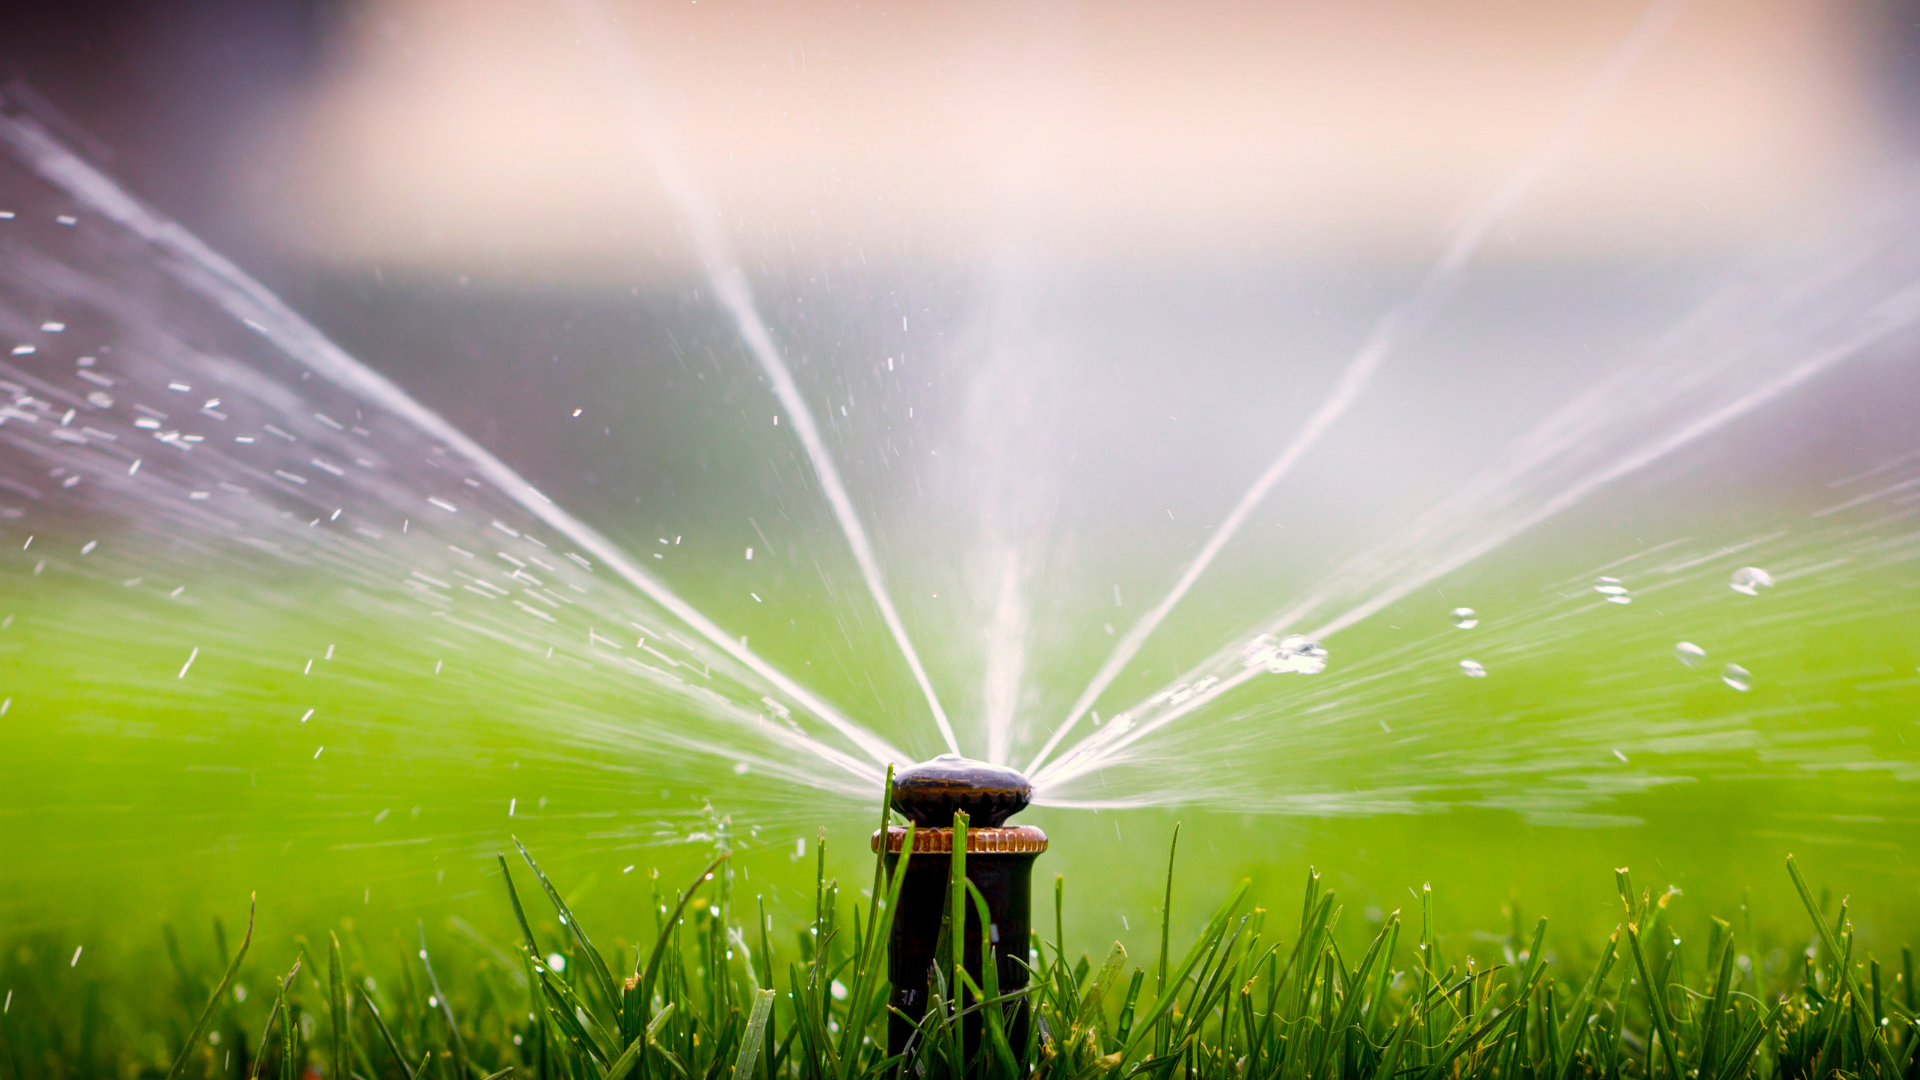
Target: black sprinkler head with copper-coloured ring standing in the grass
x,y
999,864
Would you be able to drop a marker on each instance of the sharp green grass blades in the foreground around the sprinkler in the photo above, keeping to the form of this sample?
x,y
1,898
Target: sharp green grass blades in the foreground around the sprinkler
x,y
708,994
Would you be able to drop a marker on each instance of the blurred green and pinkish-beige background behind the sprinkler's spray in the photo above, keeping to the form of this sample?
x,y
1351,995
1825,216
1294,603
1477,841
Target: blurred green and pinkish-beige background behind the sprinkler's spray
x,y
1059,283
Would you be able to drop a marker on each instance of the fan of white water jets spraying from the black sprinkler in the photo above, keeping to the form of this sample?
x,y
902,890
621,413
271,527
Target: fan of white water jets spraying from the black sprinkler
x,y
180,437
